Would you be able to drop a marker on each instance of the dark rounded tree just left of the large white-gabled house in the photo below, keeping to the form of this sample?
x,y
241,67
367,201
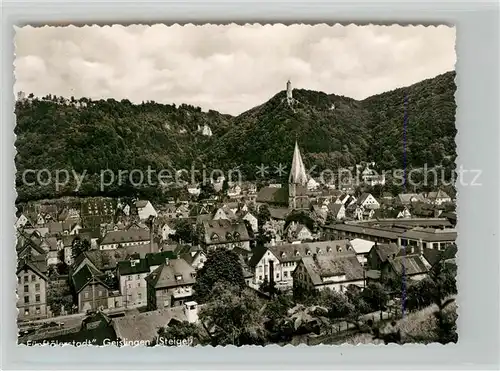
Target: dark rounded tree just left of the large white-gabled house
x,y
222,266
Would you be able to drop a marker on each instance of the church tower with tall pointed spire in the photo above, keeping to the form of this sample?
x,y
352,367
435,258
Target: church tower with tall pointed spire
x,y
297,183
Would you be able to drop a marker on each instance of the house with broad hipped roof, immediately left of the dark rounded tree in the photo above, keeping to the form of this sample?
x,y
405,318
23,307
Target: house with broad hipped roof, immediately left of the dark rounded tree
x,y
171,284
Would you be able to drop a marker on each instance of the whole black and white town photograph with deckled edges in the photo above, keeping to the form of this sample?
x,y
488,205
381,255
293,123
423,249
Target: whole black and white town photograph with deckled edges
x,y
239,184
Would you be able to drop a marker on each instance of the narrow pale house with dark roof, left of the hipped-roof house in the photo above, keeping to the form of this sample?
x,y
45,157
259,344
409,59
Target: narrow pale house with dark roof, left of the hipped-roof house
x,y
132,275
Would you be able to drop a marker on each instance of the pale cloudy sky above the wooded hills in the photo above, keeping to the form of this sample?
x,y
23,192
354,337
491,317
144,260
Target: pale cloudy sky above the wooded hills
x,y
228,68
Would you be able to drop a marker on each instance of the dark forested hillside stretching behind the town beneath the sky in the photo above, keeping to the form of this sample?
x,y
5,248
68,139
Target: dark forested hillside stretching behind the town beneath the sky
x,y
333,131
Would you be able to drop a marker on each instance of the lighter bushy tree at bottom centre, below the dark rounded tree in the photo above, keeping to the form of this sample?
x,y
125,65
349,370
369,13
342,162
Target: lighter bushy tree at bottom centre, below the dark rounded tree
x,y
234,316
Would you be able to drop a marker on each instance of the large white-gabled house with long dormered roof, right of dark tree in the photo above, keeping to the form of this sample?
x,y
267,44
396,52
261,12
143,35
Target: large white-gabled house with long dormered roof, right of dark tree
x,y
279,261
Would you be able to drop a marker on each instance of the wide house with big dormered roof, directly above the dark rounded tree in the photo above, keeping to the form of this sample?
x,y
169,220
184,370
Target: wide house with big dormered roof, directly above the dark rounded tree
x,y
223,233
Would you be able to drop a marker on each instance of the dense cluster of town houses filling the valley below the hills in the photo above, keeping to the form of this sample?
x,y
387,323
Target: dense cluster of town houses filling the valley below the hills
x,y
118,254
